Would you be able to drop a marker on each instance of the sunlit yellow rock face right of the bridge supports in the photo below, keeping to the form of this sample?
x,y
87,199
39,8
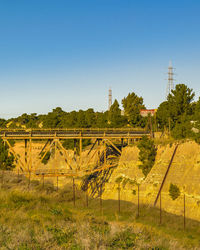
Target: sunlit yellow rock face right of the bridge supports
x,y
184,172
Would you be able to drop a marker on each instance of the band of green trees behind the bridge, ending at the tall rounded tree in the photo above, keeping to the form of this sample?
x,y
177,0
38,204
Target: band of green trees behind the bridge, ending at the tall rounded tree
x,y
58,118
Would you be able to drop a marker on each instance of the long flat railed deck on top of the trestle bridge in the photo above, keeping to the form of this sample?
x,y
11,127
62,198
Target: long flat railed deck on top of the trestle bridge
x,y
72,133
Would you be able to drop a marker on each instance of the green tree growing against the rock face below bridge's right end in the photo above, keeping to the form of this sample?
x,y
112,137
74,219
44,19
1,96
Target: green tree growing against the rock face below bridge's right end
x,y
147,154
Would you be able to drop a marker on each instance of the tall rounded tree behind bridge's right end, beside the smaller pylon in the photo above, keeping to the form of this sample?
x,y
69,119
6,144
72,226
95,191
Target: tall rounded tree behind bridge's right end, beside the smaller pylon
x,y
132,105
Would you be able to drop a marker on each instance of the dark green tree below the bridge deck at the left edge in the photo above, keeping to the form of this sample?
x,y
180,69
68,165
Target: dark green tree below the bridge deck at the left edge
x,y
6,158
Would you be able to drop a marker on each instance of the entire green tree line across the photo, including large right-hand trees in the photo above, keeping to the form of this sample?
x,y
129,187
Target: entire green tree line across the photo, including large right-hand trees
x,y
179,114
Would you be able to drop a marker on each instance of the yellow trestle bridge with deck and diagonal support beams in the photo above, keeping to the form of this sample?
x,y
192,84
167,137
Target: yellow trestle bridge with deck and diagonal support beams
x,y
102,140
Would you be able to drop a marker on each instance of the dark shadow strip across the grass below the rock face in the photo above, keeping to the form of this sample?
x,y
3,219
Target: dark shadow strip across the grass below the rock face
x,y
171,224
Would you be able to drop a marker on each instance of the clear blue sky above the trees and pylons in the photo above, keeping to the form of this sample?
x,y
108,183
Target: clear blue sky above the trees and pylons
x,y
67,53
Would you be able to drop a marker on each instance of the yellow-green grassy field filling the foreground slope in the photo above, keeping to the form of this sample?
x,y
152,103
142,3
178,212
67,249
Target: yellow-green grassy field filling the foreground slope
x,y
44,218
